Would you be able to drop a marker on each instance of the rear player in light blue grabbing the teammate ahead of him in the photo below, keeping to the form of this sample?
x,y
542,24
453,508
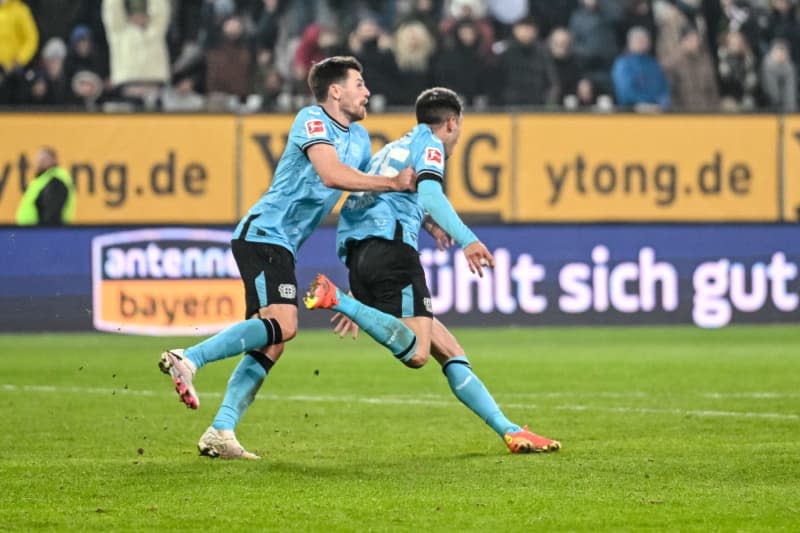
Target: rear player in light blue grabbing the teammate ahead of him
x,y
325,154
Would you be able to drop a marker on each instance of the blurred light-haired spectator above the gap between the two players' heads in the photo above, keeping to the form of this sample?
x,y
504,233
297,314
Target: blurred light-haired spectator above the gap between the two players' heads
x,y
413,51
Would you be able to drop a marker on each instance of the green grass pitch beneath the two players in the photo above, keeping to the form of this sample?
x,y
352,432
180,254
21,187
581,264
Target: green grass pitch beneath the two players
x,y
664,429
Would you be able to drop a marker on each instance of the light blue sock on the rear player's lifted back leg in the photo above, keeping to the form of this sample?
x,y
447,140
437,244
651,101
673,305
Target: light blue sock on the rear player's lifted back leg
x,y
233,340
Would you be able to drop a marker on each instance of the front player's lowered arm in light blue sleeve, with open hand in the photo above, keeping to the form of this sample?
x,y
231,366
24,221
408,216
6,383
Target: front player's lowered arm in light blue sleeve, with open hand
x,y
432,198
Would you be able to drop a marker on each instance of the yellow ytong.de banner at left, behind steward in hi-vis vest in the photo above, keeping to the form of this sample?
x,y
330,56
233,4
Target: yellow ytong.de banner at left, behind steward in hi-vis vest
x,y
127,168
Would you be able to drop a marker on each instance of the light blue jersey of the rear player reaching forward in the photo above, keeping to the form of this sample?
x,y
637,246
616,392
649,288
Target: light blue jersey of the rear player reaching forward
x,y
297,200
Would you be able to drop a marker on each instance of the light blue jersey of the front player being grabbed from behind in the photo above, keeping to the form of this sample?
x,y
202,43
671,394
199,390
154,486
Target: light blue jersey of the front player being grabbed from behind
x,y
393,215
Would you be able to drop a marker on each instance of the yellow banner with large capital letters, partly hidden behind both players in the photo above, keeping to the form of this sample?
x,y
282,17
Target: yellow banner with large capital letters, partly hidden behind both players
x,y
478,179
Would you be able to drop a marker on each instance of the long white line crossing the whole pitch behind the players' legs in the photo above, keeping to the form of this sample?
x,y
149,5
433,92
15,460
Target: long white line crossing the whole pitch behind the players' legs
x,y
404,400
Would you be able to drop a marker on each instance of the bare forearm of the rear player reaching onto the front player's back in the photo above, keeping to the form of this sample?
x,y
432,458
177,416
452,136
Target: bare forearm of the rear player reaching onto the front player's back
x,y
338,175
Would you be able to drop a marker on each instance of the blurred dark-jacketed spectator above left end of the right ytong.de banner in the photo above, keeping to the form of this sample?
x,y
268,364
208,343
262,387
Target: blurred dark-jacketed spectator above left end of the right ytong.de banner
x,y
526,75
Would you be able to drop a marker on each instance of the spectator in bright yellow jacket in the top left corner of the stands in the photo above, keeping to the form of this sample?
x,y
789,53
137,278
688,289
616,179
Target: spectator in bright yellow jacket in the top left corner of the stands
x,y
19,37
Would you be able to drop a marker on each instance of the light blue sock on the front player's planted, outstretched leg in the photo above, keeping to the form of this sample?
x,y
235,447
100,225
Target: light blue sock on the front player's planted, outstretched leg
x,y
472,393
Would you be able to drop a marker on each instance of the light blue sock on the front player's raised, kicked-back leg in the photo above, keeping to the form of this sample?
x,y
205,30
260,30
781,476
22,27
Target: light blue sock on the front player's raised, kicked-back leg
x,y
384,328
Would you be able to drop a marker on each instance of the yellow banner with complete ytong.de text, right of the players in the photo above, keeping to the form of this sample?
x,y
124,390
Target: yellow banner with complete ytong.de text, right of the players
x,y
646,168
